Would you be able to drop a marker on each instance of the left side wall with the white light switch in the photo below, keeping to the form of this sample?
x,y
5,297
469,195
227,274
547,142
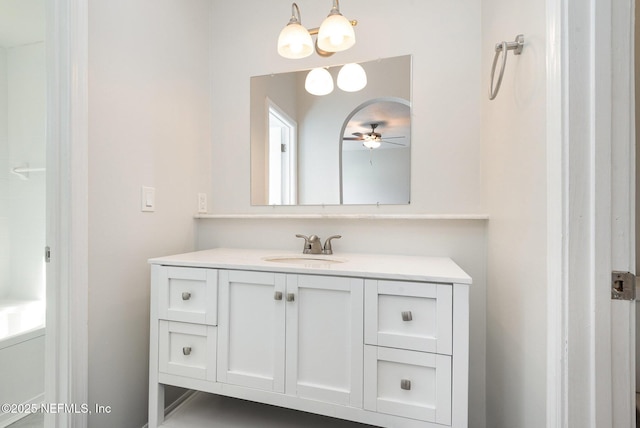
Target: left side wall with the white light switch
x,y
149,125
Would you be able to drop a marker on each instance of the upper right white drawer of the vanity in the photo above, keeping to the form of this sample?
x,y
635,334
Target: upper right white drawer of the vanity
x,y
409,315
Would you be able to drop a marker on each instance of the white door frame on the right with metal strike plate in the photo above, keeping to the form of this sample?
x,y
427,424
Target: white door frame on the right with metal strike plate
x,y
591,204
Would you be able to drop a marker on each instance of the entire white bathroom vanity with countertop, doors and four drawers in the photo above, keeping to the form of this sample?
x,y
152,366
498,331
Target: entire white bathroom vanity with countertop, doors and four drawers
x,y
381,340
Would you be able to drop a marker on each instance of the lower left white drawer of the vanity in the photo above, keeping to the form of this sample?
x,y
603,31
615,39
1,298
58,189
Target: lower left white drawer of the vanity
x,y
187,350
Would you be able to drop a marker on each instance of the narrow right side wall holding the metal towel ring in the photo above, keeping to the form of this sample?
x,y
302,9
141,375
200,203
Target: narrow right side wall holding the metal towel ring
x,y
514,177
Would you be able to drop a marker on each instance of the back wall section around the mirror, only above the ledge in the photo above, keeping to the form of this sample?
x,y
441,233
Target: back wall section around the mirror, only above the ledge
x,y
446,91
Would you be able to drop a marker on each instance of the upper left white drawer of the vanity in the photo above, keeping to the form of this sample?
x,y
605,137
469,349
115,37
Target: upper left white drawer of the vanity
x,y
188,294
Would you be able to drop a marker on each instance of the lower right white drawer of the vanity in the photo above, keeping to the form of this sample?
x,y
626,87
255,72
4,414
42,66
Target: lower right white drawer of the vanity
x,y
412,384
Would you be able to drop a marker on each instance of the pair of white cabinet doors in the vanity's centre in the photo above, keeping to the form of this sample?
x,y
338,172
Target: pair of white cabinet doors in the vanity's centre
x,y
313,323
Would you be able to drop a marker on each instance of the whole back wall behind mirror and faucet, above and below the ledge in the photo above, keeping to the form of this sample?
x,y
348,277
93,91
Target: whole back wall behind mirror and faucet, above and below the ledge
x,y
446,149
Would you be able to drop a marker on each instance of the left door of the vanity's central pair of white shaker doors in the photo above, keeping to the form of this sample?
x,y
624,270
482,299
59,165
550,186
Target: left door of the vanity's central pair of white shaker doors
x,y
251,329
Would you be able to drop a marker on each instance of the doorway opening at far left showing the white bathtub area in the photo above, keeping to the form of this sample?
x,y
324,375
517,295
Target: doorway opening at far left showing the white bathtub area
x,y
23,104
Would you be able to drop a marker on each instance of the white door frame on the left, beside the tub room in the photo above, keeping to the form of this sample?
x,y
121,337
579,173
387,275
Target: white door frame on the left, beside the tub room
x,y
66,350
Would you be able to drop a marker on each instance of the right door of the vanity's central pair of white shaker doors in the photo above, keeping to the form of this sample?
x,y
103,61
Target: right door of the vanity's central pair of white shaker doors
x,y
325,338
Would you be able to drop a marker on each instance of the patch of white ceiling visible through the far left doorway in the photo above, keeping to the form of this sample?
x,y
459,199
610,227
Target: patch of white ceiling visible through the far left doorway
x,y
21,22
